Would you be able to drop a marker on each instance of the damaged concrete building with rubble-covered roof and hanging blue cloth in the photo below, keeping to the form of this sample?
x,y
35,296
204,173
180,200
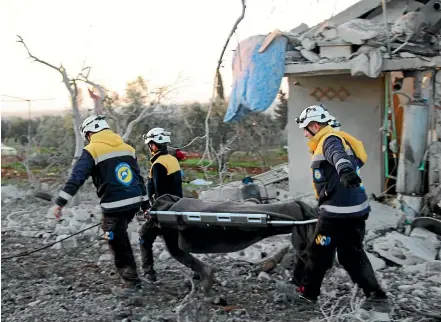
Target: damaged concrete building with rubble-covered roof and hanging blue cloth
x,y
375,66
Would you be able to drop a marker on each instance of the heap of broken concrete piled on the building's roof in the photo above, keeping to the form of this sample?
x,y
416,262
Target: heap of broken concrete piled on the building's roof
x,y
363,42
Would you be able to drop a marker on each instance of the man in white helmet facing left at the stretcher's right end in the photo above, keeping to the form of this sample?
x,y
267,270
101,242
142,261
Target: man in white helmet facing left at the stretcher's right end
x,y
343,206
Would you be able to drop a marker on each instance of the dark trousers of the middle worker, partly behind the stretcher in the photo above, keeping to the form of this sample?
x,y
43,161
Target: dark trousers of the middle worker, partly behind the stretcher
x,y
148,233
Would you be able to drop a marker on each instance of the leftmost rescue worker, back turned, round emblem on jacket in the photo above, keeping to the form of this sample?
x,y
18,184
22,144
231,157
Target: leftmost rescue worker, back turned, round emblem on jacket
x,y
120,186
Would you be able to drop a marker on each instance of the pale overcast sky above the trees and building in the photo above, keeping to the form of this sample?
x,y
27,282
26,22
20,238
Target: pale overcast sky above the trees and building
x,y
157,39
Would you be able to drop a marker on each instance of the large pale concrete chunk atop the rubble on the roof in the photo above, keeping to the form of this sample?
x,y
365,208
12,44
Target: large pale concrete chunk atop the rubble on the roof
x,y
358,31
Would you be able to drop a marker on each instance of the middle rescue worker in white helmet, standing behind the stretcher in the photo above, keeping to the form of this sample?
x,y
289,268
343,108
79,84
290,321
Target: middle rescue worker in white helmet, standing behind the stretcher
x,y
165,178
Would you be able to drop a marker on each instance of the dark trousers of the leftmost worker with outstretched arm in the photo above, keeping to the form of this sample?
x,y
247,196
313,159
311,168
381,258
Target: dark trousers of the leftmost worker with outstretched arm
x,y
115,228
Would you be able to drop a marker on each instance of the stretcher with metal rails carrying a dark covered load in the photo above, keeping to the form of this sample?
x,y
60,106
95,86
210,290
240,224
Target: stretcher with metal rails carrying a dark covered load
x,y
223,227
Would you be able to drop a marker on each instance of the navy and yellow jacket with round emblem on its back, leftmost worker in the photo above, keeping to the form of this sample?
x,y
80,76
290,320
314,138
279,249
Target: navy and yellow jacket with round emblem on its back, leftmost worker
x,y
115,174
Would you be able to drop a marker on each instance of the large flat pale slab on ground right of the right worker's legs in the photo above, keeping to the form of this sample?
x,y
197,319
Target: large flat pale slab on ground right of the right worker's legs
x,y
404,250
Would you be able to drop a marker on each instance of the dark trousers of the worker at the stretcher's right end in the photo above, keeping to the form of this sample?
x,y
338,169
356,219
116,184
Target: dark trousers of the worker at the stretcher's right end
x,y
346,236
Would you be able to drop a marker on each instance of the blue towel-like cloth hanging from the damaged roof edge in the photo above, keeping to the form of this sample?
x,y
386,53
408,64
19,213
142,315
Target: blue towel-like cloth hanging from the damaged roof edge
x,y
256,76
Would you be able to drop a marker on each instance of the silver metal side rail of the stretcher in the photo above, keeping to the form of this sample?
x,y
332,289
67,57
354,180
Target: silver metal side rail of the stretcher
x,y
196,218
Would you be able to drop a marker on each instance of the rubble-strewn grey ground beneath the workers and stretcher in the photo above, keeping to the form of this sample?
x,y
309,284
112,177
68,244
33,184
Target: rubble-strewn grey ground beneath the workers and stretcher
x,y
73,281
